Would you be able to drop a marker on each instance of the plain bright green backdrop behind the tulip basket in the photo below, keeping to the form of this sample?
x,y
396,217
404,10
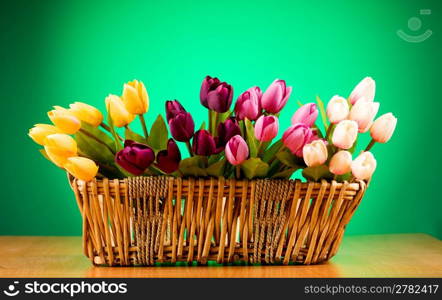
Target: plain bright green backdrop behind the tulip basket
x,y
57,52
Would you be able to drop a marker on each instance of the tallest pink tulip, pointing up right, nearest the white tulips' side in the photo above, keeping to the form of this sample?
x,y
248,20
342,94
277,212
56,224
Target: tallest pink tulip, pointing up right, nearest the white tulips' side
x,y
276,96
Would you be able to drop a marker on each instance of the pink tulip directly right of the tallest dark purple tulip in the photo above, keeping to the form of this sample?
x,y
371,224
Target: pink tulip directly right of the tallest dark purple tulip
x,y
248,104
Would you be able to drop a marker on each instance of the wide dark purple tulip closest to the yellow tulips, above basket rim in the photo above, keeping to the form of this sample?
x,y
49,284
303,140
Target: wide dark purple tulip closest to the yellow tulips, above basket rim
x,y
135,157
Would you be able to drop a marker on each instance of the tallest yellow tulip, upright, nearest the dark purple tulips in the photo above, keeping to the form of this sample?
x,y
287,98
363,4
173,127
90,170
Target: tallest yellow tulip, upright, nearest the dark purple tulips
x,y
135,97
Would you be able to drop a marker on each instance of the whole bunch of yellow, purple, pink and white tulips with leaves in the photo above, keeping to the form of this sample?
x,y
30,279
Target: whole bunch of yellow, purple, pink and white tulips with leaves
x,y
234,143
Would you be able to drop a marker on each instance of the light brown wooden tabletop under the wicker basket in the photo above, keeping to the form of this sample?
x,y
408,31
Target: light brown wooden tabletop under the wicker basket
x,y
398,255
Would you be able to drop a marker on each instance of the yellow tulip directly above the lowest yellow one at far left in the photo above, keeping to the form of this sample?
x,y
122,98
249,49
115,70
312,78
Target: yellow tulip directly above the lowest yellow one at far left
x,y
59,147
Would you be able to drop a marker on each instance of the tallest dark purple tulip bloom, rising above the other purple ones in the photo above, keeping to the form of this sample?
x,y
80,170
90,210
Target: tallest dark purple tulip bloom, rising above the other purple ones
x,y
216,95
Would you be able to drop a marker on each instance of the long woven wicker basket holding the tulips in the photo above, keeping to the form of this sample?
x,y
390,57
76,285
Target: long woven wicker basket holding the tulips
x,y
149,220
